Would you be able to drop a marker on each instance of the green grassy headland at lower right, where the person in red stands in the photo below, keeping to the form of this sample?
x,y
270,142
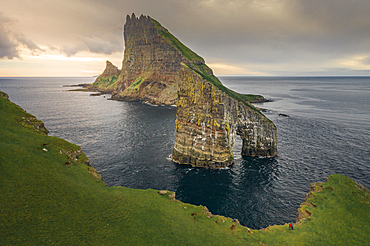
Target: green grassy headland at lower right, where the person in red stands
x,y
336,213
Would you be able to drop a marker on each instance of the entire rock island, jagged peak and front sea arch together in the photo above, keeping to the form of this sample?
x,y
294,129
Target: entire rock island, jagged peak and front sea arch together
x,y
159,69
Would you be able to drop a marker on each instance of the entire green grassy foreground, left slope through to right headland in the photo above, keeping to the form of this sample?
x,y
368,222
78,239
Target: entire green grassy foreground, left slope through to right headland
x,y
48,196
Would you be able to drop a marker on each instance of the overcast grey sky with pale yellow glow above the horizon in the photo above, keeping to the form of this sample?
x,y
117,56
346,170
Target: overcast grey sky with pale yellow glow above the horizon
x,y
245,37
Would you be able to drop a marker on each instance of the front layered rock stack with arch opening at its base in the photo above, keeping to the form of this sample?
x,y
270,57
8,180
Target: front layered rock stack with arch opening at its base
x,y
208,119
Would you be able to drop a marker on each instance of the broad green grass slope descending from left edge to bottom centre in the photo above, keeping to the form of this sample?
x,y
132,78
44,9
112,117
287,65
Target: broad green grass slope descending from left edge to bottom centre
x,y
48,198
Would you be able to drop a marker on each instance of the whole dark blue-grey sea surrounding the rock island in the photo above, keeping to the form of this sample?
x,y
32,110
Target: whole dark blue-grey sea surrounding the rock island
x,y
327,131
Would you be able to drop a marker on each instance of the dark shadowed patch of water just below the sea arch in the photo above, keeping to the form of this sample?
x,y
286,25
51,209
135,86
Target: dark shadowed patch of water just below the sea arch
x,y
238,192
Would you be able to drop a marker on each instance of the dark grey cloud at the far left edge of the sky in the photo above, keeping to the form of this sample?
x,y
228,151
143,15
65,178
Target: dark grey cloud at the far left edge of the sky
x,y
11,42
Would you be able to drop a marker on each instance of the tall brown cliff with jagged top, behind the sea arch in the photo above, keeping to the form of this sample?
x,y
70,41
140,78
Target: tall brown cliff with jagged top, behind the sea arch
x,y
151,64
